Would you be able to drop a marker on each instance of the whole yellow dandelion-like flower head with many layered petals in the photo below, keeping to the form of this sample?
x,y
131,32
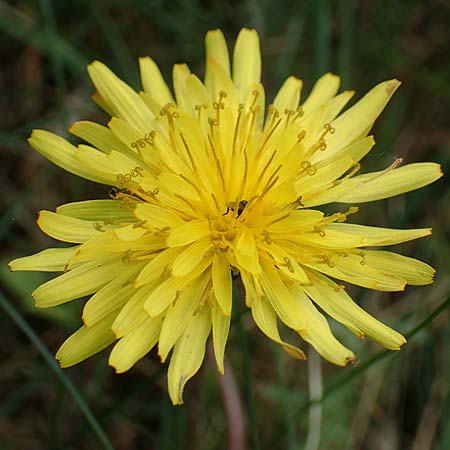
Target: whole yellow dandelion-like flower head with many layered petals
x,y
209,184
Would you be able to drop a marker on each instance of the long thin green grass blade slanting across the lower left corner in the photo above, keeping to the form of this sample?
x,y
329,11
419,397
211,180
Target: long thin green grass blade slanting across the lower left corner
x,y
49,359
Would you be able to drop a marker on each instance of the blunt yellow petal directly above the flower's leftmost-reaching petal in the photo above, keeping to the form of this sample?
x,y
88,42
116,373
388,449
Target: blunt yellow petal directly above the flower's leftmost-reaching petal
x,y
67,229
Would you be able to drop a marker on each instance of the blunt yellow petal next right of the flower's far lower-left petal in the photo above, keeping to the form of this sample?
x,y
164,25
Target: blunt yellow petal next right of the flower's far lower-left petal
x,y
135,345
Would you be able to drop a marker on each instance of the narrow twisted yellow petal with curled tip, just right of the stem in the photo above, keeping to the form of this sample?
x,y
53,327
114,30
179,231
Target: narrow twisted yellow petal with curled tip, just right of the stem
x,y
264,317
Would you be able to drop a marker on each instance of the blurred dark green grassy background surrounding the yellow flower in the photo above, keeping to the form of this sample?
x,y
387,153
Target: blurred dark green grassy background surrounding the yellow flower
x,y
389,400
